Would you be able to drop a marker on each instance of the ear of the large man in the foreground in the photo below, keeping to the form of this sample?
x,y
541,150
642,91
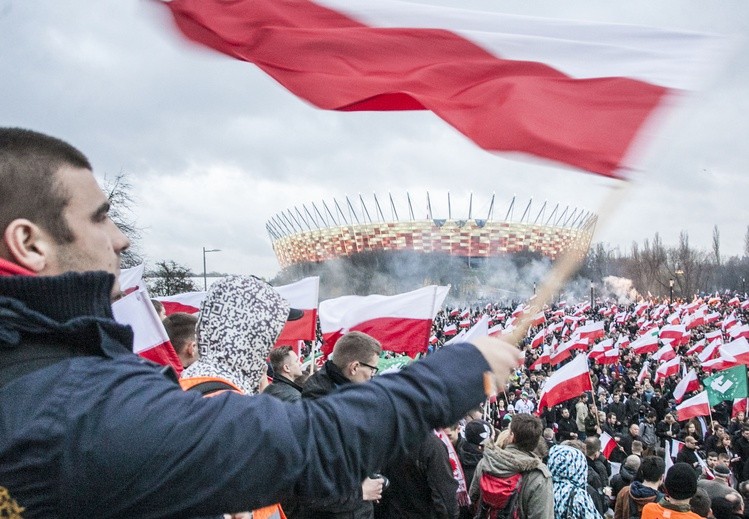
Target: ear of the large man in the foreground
x,y
28,245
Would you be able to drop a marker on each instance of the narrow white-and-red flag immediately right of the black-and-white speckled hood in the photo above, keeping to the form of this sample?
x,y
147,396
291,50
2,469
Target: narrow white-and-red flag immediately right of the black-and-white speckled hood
x,y
302,295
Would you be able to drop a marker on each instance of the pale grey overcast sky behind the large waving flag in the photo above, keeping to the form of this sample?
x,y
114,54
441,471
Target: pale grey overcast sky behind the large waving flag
x,y
214,147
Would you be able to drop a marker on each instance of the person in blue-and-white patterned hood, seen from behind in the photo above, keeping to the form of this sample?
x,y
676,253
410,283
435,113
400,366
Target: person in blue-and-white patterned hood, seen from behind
x,y
569,470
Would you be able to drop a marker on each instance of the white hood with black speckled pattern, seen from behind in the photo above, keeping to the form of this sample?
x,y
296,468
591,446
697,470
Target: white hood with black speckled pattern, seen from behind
x,y
240,319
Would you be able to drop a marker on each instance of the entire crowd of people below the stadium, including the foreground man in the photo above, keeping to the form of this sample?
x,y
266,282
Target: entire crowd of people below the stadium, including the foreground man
x,y
87,429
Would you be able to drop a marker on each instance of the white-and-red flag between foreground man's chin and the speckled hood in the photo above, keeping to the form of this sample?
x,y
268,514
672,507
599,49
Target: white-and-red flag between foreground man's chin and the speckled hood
x,y
150,338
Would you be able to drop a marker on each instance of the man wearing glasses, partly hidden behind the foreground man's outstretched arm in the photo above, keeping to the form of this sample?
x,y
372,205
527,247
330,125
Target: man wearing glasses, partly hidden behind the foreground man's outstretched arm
x,y
354,360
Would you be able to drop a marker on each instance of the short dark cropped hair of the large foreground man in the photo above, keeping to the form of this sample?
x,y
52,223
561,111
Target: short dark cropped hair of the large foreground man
x,y
29,187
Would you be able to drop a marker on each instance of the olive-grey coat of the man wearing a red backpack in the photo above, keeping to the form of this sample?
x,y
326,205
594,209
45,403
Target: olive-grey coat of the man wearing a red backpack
x,y
536,494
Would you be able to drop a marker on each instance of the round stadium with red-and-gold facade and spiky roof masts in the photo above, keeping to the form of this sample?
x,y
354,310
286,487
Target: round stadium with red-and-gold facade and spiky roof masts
x,y
316,233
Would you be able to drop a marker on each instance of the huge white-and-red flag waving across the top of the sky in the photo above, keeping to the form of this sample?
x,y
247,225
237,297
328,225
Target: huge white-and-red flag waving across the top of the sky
x,y
577,93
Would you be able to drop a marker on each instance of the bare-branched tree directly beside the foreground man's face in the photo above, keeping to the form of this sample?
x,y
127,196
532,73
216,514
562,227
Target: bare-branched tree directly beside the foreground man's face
x,y
119,192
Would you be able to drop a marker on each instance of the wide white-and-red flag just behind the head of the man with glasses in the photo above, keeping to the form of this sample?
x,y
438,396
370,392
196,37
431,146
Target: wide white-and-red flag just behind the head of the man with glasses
x,y
402,323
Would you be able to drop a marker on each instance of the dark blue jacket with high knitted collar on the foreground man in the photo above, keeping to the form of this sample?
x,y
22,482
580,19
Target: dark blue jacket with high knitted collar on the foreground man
x,y
103,433
